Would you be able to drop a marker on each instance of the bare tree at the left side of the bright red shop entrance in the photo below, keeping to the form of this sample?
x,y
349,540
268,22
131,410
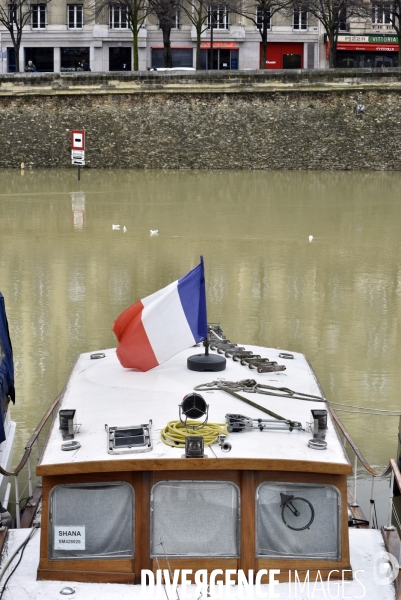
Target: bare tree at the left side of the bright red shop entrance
x,y
261,12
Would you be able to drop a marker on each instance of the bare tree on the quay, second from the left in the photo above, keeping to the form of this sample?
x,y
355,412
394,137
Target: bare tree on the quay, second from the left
x,y
131,13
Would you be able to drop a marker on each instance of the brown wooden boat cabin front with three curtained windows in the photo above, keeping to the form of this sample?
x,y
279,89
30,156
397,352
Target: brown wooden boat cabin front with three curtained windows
x,y
109,527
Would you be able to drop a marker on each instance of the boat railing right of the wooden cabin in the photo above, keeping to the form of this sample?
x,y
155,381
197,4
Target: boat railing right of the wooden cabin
x,y
392,470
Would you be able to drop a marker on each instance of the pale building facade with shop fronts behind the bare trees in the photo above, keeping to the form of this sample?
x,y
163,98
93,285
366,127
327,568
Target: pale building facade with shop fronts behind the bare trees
x,y
63,35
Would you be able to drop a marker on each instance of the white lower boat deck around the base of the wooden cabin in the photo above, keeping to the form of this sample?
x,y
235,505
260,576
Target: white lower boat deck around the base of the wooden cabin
x,y
365,544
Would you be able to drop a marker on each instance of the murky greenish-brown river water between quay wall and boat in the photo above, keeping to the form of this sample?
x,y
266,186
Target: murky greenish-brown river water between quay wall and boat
x,y
66,274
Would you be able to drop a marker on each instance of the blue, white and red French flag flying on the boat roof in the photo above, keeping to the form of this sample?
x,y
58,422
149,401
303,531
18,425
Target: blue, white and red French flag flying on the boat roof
x,y
164,323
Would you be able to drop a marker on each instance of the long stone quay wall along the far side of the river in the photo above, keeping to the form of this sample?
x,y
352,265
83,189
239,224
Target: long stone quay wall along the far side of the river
x,y
220,120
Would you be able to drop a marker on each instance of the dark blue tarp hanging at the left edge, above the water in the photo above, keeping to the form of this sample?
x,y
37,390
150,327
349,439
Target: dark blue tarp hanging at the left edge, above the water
x,y
6,366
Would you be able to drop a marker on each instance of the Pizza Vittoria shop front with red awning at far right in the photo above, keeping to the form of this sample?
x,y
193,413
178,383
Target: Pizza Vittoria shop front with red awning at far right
x,y
363,51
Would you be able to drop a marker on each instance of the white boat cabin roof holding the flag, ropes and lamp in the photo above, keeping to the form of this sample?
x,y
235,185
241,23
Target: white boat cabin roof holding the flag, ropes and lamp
x,y
103,392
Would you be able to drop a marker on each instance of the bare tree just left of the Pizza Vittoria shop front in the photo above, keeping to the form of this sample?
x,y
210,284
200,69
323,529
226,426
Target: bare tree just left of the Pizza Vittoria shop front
x,y
334,16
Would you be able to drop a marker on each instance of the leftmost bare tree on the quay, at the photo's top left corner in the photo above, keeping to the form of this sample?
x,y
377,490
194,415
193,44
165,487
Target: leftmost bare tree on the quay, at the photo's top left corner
x,y
14,16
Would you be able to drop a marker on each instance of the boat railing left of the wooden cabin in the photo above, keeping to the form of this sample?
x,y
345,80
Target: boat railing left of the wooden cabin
x,y
26,460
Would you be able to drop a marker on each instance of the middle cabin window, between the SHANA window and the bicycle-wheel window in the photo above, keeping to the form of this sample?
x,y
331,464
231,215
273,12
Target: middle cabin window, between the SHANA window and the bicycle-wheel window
x,y
195,518
